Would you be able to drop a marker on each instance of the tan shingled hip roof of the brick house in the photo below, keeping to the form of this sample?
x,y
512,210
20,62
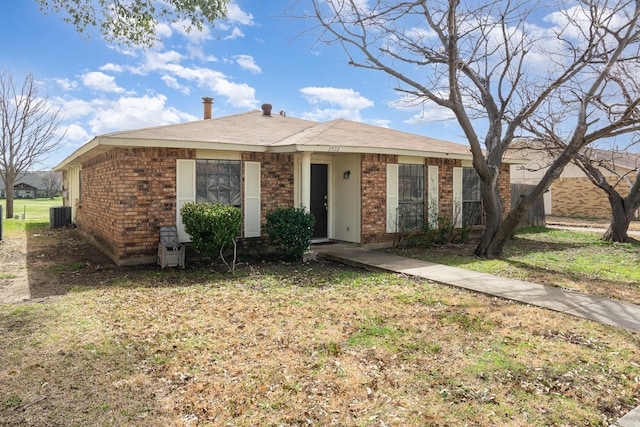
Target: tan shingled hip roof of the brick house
x,y
254,131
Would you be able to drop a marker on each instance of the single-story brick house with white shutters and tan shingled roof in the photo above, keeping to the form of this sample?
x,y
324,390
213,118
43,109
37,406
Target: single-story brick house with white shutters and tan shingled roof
x,y
353,177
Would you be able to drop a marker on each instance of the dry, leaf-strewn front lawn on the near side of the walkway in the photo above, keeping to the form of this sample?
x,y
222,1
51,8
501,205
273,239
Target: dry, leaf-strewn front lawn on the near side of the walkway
x,y
289,345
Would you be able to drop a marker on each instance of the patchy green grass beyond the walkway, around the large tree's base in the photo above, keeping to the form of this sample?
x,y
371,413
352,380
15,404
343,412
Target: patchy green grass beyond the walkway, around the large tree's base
x,y
570,259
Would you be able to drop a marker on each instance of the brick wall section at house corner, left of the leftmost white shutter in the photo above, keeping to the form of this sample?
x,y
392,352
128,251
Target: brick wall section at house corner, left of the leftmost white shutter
x,y
127,194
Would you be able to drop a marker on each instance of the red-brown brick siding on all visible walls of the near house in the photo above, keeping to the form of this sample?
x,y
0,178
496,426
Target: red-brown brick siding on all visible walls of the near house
x,y
127,194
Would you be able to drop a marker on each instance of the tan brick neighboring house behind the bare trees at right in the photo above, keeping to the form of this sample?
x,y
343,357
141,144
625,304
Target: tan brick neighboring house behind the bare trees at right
x,y
573,194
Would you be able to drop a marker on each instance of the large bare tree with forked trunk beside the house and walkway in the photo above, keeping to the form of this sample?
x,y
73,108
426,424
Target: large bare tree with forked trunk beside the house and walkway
x,y
497,72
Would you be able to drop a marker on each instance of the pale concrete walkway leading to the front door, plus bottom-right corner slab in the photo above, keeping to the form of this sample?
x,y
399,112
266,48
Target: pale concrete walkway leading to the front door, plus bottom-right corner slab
x,y
599,309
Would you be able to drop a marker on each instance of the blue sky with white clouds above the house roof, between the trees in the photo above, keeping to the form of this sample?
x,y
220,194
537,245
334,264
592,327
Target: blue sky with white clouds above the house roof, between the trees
x,y
258,55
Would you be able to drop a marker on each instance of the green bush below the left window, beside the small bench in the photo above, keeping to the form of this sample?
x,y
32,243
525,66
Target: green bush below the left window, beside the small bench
x,y
213,228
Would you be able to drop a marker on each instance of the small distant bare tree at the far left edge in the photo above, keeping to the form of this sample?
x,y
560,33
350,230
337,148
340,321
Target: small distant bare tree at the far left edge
x,y
29,129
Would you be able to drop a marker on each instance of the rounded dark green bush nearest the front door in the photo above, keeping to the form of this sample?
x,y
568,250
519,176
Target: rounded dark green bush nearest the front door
x,y
290,230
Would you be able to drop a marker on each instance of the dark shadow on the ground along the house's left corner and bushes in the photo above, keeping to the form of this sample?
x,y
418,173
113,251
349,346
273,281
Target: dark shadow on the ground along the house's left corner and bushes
x,y
61,260
